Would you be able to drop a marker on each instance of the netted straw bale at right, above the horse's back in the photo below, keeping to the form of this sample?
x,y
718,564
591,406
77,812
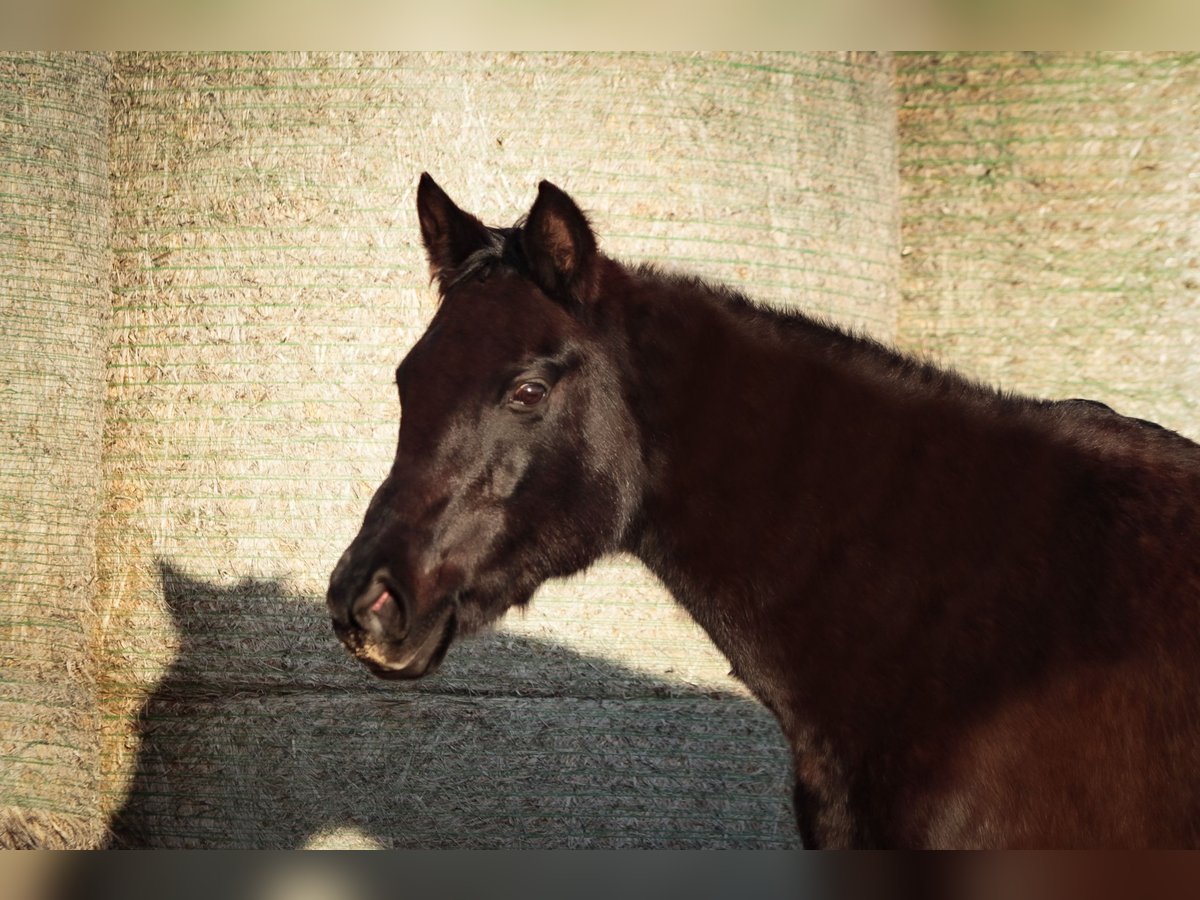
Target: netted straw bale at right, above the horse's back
x,y
1051,208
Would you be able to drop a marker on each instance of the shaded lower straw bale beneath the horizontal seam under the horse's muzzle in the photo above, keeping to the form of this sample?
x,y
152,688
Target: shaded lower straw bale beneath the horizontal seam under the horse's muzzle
x,y
407,771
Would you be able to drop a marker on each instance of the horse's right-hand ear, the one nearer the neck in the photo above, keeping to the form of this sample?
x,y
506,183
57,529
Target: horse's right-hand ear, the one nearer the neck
x,y
560,247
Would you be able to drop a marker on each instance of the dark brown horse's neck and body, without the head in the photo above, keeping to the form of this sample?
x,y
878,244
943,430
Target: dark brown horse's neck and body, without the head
x,y
974,615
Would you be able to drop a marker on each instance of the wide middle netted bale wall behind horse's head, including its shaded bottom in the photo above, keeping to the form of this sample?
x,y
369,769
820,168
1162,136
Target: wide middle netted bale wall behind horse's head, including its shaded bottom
x,y
268,278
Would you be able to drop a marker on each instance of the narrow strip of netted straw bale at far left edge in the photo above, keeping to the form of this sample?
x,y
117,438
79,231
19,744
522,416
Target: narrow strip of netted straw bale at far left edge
x,y
55,262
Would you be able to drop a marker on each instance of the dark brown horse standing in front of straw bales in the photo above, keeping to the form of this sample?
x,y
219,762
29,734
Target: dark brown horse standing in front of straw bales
x,y
975,615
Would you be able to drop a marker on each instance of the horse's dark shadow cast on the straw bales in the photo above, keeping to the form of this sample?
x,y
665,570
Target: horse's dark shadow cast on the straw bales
x,y
254,741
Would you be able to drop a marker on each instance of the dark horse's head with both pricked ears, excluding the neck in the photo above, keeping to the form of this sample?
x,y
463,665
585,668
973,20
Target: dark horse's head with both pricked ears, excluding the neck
x,y
518,458
